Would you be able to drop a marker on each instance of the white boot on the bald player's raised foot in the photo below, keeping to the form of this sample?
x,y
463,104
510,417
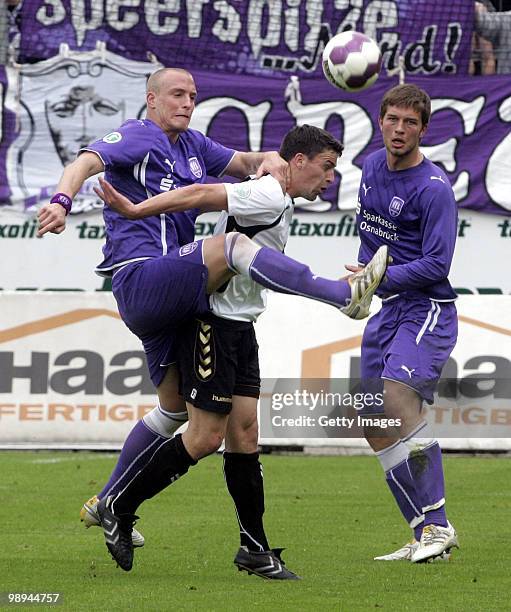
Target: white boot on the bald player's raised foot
x,y
364,283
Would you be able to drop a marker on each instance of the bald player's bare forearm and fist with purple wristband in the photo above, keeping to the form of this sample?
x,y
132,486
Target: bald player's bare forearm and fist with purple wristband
x,y
52,216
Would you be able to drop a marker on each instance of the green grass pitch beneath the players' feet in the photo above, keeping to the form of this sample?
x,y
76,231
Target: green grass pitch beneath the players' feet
x,y
333,514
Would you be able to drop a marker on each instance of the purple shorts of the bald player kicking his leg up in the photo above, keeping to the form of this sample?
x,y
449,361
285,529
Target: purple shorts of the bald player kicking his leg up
x,y
156,296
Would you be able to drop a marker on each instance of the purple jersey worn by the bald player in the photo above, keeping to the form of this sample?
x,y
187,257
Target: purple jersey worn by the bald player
x,y
140,161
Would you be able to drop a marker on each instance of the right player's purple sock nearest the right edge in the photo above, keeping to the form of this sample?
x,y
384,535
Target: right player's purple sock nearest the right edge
x,y
426,468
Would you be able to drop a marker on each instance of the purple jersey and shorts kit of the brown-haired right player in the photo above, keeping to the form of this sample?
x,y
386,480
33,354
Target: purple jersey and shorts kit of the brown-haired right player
x,y
414,212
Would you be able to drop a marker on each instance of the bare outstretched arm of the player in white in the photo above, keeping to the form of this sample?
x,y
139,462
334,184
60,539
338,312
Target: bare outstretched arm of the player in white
x,y
204,197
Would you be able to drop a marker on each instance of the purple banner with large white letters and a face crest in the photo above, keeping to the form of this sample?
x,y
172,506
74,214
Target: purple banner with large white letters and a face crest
x,y
54,107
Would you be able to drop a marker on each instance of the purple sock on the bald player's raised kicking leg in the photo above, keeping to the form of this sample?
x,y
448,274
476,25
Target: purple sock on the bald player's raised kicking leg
x,y
285,275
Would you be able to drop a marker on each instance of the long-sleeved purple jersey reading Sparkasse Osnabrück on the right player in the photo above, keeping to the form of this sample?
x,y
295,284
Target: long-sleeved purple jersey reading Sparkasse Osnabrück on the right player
x,y
414,212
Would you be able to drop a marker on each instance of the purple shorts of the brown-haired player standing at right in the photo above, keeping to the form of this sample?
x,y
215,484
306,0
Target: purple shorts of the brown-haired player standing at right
x,y
409,340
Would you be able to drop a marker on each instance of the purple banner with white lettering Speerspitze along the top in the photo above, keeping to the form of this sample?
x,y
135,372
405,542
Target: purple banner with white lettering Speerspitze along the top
x,y
252,36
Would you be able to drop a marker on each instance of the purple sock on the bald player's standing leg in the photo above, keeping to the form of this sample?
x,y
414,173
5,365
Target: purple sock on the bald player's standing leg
x,y
136,452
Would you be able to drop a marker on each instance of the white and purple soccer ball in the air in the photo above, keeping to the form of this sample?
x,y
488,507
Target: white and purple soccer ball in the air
x,y
351,61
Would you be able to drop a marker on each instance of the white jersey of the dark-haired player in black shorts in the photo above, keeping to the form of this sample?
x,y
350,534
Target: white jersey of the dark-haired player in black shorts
x,y
261,211
